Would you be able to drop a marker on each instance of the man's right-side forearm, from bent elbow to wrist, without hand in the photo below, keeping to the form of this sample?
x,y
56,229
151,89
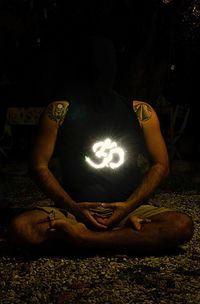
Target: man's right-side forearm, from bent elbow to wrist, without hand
x,y
148,185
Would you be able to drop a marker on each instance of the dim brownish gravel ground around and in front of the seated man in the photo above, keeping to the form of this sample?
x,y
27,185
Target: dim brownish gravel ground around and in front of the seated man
x,y
27,277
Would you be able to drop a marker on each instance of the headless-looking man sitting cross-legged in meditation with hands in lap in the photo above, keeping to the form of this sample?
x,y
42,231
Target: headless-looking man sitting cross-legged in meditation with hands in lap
x,y
102,201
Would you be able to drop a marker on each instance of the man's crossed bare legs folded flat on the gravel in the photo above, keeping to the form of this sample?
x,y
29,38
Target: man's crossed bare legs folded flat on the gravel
x,y
165,231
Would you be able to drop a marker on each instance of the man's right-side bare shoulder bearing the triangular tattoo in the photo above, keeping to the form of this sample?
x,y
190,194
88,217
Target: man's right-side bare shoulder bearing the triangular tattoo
x,y
145,112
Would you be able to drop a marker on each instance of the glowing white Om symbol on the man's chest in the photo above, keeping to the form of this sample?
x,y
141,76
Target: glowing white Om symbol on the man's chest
x,y
100,148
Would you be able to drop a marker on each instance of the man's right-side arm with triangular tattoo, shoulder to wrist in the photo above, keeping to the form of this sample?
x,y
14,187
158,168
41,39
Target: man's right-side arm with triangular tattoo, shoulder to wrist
x,y
157,149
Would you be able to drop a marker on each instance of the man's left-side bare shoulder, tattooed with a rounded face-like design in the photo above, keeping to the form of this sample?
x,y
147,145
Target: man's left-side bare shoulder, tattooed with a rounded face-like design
x,y
56,111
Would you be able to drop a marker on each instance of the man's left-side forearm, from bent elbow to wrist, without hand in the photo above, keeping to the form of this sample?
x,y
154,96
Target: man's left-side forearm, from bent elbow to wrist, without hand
x,y
51,187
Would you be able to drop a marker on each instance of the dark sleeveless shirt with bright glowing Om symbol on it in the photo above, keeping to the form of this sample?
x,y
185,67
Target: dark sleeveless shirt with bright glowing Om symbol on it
x,y
100,146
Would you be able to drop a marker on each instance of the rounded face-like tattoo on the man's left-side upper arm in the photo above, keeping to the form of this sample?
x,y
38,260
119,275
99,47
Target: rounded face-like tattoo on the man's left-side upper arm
x,y
57,112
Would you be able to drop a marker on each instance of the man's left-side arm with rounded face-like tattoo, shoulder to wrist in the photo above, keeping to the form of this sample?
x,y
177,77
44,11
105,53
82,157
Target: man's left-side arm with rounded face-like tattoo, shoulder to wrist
x,y
42,151
